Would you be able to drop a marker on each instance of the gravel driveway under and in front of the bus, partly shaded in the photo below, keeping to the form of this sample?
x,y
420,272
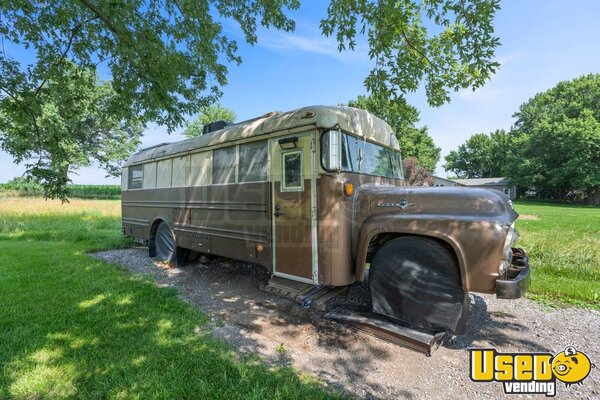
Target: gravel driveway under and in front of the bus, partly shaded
x,y
284,333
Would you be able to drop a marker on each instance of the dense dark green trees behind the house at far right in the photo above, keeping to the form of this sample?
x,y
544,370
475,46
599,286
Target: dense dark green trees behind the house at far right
x,y
551,152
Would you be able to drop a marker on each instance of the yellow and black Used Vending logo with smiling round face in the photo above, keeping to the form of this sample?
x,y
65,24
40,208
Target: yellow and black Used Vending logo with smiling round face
x,y
530,373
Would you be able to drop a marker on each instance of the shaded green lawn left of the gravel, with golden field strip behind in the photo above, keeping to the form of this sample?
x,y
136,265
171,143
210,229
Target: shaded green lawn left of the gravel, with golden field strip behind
x,y
75,327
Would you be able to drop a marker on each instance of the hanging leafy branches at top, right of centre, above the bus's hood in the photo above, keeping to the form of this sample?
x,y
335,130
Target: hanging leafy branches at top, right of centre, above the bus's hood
x,y
444,44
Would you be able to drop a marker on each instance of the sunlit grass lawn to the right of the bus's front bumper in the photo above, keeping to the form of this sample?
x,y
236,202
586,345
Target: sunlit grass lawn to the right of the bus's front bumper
x,y
563,242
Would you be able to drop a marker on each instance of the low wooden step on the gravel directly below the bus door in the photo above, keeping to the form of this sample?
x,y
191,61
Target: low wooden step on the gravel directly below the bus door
x,y
303,293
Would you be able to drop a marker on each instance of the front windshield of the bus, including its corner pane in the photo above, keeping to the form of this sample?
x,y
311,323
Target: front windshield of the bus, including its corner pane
x,y
341,151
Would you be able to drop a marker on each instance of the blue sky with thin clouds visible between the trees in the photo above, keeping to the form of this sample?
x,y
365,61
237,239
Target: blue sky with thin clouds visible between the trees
x,y
542,42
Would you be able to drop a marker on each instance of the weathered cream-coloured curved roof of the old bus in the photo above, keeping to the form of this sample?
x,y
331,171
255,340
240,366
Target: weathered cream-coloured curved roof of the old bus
x,y
349,119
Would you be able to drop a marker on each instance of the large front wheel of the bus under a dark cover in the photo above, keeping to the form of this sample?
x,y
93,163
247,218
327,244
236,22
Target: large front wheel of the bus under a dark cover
x,y
416,281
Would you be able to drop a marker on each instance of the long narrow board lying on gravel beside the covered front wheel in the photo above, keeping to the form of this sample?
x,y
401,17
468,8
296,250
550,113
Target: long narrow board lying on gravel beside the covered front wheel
x,y
361,319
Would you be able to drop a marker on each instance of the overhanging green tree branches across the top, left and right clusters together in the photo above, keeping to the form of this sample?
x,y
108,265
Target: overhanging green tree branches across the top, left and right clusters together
x,y
167,59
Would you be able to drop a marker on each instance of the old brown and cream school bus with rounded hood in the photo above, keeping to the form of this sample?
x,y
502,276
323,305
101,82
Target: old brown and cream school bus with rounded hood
x,y
317,194
